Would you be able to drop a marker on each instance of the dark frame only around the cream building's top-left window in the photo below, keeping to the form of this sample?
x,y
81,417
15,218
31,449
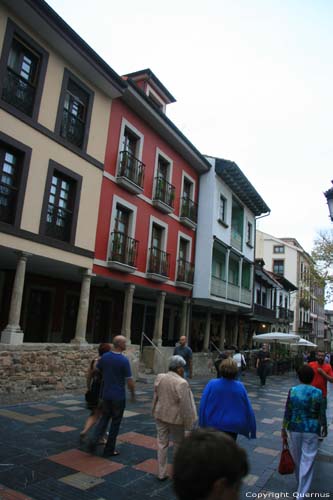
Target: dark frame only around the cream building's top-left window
x,y
13,30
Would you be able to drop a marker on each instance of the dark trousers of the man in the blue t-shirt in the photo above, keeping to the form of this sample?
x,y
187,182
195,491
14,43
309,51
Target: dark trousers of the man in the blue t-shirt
x,y
113,410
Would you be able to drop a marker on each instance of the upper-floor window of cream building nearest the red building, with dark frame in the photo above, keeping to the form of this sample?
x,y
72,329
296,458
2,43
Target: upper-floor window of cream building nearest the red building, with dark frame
x,y
74,112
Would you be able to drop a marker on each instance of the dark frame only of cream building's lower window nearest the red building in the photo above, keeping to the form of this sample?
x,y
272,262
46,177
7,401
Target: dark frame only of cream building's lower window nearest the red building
x,y
54,166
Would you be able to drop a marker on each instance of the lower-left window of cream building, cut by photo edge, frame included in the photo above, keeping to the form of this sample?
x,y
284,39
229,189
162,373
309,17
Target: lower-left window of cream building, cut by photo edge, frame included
x,y
14,161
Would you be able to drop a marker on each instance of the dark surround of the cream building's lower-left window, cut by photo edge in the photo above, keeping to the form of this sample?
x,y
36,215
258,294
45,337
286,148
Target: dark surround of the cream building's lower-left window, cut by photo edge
x,y
25,153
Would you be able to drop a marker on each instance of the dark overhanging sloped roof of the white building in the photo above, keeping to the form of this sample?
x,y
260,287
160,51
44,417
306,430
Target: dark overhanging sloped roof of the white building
x,y
232,175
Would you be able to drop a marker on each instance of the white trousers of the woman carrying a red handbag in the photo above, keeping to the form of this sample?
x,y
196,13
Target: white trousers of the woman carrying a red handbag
x,y
303,448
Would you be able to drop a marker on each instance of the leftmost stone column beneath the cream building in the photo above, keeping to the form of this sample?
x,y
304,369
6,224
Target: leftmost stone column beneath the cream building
x,y
13,334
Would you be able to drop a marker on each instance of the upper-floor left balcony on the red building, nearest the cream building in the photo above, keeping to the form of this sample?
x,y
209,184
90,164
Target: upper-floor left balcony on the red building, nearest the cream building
x,y
130,173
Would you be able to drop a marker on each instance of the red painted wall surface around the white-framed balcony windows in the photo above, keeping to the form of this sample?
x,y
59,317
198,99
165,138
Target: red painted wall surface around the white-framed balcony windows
x,y
151,141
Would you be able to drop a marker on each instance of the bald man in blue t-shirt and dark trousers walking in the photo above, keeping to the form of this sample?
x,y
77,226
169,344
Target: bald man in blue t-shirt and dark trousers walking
x,y
116,371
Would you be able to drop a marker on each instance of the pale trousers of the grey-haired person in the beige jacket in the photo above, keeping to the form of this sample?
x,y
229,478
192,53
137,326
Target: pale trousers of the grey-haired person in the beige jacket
x,y
164,431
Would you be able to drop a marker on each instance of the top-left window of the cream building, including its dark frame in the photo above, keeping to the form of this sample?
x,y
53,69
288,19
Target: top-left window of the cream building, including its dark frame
x,y
22,70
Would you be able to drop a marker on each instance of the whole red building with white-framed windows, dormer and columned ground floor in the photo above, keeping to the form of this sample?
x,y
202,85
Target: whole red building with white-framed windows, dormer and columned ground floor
x,y
147,219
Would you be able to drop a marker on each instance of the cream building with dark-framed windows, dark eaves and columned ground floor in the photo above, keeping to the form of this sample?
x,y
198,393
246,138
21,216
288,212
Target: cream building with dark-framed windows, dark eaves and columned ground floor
x,y
55,102
